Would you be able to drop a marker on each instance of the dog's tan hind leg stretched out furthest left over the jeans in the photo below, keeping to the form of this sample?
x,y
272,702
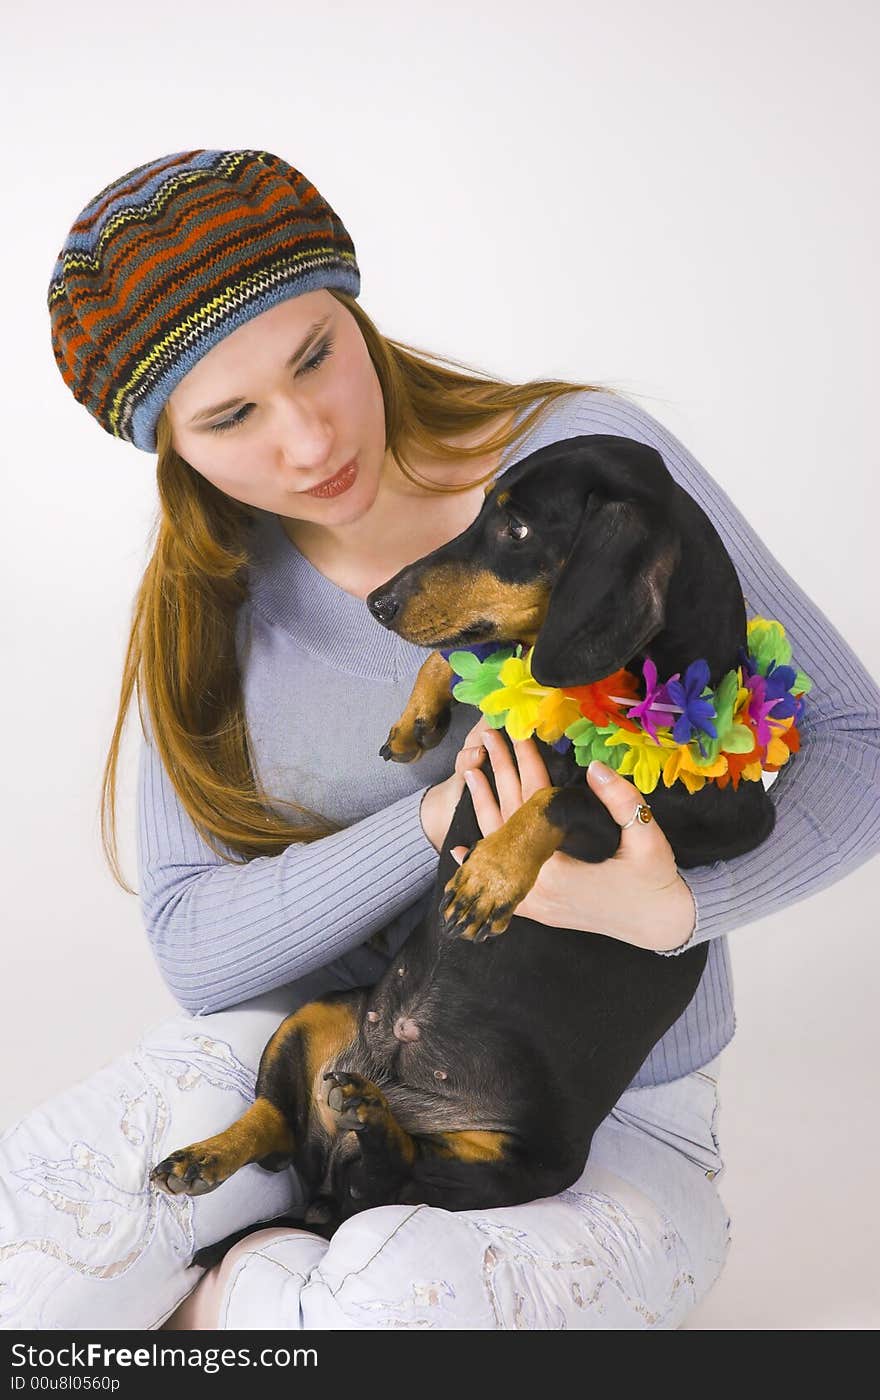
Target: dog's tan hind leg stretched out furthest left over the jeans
x,y
276,1126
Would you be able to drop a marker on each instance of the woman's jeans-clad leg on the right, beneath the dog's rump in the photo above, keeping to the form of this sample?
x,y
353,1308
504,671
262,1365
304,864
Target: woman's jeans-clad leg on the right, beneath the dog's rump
x,y
590,1261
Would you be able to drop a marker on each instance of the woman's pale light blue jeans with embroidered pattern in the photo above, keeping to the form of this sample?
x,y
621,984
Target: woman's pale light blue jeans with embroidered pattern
x,y
86,1242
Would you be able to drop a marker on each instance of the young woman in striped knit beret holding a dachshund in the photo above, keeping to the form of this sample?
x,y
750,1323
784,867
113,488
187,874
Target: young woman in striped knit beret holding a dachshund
x,y
204,307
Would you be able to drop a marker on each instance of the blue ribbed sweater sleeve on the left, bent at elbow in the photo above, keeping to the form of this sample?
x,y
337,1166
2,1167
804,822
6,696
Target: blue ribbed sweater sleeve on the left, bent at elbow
x,y
223,933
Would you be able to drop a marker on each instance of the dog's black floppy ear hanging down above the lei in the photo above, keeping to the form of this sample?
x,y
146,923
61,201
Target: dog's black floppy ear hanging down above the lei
x,y
611,596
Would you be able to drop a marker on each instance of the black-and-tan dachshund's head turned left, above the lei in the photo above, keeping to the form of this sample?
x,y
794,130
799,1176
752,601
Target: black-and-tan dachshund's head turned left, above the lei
x,y
573,551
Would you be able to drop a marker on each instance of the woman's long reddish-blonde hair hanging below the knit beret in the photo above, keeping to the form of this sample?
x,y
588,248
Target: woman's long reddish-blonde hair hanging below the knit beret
x,y
181,654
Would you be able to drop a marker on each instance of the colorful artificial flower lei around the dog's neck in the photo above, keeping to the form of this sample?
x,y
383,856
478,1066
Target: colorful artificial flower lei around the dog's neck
x,y
681,730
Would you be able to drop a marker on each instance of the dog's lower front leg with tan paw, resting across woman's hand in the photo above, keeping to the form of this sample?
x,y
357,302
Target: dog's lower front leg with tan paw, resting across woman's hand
x,y
482,897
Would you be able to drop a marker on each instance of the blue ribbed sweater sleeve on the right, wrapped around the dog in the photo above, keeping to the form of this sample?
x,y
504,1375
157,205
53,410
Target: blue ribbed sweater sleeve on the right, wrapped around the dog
x,y
828,796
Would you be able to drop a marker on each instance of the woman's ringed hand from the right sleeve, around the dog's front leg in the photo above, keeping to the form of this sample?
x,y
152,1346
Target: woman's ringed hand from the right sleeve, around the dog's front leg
x,y
637,897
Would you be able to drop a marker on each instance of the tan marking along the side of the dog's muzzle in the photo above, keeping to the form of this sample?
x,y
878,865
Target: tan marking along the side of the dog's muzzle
x,y
453,597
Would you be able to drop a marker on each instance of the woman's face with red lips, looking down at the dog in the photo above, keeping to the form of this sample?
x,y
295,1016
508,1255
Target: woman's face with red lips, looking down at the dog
x,y
268,429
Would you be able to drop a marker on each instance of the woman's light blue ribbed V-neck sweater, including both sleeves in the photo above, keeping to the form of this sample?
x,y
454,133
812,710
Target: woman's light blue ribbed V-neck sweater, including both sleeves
x,y
324,682
